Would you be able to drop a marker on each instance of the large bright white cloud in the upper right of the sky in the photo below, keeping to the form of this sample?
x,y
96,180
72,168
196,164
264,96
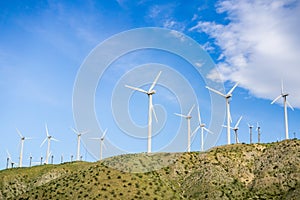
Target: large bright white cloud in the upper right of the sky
x,y
260,45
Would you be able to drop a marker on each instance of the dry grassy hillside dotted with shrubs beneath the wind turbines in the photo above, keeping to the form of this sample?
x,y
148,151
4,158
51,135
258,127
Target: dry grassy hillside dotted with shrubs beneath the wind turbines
x,y
242,171
